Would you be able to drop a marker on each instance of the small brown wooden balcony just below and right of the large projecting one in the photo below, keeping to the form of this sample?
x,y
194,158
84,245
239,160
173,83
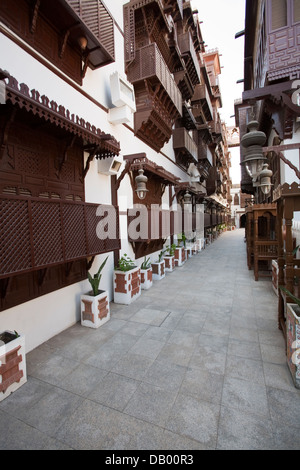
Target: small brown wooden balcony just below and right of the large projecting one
x,y
185,147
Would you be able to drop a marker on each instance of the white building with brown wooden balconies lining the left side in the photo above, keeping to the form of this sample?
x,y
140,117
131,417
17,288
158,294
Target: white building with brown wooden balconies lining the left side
x,y
76,127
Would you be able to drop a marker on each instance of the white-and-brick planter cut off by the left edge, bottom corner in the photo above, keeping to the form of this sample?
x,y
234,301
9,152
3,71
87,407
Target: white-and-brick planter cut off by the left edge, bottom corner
x,y
12,362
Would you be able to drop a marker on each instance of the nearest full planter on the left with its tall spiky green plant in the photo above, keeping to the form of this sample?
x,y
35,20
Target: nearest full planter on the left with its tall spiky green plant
x,y
95,304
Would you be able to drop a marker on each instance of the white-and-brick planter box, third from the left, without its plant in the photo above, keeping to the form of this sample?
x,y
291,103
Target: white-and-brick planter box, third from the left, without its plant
x,y
127,285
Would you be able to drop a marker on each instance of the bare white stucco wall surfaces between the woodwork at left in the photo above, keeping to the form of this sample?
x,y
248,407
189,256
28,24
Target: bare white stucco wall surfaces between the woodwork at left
x,y
46,316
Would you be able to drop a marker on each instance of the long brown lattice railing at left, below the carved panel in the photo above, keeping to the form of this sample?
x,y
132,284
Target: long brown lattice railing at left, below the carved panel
x,y
38,234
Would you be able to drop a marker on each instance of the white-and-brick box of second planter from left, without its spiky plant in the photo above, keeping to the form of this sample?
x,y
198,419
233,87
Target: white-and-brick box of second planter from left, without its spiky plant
x,y
95,310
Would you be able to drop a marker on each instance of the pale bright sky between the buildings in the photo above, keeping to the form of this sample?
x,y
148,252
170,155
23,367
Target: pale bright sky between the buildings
x,y
222,19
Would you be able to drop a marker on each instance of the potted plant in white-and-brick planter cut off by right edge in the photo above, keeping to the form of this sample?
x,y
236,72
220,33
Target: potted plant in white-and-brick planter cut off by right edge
x,y
293,336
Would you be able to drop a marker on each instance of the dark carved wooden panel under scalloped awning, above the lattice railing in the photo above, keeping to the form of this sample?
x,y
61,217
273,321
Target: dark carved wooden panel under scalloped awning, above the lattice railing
x,y
39,163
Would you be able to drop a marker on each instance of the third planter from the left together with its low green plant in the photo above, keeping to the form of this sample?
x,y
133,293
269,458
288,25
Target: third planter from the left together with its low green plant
x,y
127,281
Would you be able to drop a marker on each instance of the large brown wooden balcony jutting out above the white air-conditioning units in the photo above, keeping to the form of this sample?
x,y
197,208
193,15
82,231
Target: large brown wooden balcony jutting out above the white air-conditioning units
x,y
158,99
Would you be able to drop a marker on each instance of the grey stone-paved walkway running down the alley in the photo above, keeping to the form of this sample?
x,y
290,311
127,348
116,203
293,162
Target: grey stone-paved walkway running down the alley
x,y
197,362
